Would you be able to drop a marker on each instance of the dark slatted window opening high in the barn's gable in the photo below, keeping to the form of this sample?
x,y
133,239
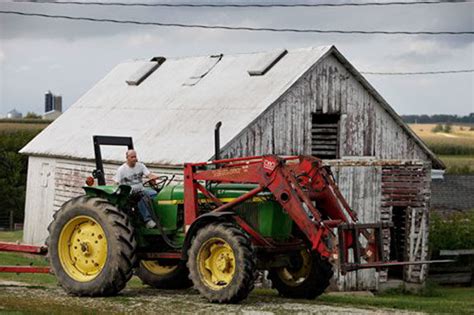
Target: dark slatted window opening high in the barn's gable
x,y
325,136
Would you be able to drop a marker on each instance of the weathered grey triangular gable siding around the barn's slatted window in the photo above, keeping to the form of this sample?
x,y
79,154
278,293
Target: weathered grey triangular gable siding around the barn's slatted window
x,y
366,129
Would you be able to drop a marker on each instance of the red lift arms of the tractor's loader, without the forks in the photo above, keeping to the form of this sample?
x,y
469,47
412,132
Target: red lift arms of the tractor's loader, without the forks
x,y
271,173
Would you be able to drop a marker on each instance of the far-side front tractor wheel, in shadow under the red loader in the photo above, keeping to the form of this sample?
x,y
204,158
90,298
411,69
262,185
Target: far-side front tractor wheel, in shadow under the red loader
x,y
307,278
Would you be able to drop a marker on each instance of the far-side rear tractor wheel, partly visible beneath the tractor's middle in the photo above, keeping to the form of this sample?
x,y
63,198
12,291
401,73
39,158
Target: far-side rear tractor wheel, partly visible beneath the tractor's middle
x,y
164,276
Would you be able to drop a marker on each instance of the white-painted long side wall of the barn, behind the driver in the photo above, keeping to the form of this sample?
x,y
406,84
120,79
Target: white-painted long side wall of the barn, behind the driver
x,y
58,181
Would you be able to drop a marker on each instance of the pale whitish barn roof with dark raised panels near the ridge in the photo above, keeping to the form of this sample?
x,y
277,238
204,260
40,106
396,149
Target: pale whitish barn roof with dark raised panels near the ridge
x,y
170,107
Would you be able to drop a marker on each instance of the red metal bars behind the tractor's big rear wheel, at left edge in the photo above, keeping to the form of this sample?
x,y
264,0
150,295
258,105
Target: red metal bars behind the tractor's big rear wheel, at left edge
x,y
20,248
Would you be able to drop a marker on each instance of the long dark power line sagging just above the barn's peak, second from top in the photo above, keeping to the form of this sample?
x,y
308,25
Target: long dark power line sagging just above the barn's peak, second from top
x,y
237,28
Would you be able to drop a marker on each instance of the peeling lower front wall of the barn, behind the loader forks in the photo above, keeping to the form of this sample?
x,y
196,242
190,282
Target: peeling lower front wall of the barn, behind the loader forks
x,y
372,188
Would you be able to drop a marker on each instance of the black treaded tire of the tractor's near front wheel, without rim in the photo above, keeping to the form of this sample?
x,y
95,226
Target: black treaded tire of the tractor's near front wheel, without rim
x,y
242,282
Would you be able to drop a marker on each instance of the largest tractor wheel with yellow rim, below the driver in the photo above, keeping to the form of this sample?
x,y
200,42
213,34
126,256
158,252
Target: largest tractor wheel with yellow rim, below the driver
x,y
91,247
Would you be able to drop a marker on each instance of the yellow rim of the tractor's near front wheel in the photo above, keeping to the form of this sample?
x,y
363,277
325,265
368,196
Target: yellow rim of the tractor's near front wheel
x,y
216,261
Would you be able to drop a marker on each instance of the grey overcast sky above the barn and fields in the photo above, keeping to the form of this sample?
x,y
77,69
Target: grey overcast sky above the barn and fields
x,y
69,57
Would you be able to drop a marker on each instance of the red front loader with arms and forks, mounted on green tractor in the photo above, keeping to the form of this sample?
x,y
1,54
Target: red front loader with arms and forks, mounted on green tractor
x,y
306,189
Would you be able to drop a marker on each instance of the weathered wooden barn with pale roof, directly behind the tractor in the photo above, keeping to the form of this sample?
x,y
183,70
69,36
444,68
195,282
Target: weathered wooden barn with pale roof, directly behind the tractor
x,y
306,101
